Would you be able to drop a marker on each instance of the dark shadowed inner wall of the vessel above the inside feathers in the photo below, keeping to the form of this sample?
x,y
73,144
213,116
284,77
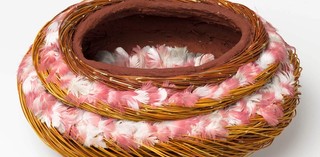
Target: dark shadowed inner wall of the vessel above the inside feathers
x,y
127,32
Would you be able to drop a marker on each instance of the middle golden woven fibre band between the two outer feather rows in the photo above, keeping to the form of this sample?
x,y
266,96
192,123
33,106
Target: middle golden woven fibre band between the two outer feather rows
x,y
148,112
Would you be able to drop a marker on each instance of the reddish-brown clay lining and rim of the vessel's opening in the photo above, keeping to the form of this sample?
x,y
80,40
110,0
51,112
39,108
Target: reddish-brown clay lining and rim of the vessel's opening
x,y
203,28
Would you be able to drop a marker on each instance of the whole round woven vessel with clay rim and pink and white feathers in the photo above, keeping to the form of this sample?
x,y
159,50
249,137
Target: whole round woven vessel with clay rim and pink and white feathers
x,y
208,78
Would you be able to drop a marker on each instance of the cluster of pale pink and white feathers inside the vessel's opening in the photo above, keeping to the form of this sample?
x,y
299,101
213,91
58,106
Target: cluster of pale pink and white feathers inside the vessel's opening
x,y
161,56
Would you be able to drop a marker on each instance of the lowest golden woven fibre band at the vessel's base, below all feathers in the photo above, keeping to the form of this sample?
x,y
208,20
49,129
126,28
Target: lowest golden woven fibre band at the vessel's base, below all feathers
x,y
241,141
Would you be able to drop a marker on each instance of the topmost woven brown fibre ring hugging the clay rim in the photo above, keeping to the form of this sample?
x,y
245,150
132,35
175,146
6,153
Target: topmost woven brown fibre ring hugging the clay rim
x,y
122,82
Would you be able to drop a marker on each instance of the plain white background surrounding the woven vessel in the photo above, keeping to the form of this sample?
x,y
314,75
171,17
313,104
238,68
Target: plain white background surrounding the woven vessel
x,y
297,21
